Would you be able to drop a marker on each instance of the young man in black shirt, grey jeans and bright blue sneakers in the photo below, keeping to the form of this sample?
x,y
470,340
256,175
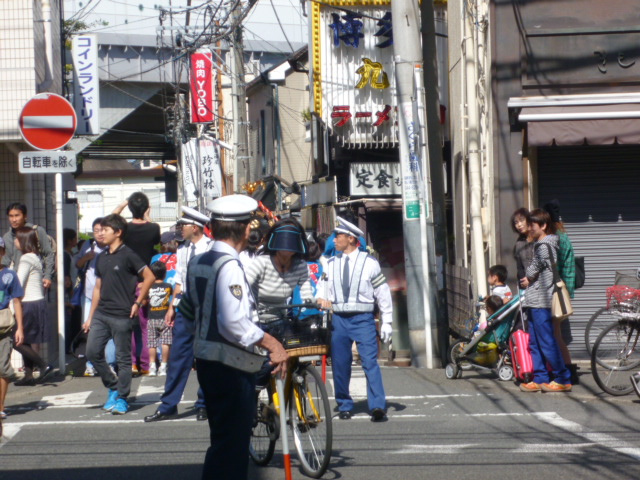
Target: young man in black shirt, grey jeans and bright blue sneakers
x,y
113,307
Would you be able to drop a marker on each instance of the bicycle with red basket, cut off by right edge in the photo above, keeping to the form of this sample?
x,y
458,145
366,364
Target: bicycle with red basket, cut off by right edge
x,y
614,357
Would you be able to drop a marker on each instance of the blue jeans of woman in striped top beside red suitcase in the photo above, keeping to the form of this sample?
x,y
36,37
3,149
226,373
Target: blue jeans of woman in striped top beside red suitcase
x,y
544,348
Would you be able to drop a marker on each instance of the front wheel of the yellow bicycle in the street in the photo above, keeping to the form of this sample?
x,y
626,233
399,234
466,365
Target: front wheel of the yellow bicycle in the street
x,y
310,420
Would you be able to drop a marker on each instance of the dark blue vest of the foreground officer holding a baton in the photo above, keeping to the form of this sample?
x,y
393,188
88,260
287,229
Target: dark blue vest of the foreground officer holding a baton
x,y
203,274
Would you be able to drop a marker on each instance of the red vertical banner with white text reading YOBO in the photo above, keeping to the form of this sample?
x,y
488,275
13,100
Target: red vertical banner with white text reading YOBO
x,y
201,81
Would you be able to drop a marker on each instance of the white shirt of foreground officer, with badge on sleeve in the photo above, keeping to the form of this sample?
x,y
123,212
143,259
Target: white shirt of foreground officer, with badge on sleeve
x,y
236,316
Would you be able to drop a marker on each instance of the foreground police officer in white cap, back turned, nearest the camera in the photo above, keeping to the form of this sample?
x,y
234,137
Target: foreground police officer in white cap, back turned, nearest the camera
x,y
220,300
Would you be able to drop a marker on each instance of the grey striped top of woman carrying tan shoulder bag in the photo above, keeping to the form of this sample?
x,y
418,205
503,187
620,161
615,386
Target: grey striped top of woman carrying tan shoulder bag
x,y
540,273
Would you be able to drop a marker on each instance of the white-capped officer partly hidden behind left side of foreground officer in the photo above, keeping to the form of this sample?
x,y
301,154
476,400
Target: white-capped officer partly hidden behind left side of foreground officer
x,y
181,355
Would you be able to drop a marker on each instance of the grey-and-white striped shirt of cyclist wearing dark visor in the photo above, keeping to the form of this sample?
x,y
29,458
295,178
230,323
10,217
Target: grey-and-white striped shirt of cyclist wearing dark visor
x,y
271,287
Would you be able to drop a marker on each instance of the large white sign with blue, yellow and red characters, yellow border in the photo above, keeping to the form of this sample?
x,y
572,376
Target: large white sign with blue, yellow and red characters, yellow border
x,y
353,72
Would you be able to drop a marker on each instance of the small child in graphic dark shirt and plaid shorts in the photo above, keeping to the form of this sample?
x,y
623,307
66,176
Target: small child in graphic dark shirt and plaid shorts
x,y
159,333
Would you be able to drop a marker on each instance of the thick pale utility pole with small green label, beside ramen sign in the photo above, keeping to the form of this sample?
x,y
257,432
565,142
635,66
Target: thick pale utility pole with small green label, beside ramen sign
x,y
417,212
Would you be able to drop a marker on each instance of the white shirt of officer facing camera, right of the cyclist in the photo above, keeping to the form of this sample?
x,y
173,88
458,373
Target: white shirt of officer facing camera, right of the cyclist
x,y
367,293
